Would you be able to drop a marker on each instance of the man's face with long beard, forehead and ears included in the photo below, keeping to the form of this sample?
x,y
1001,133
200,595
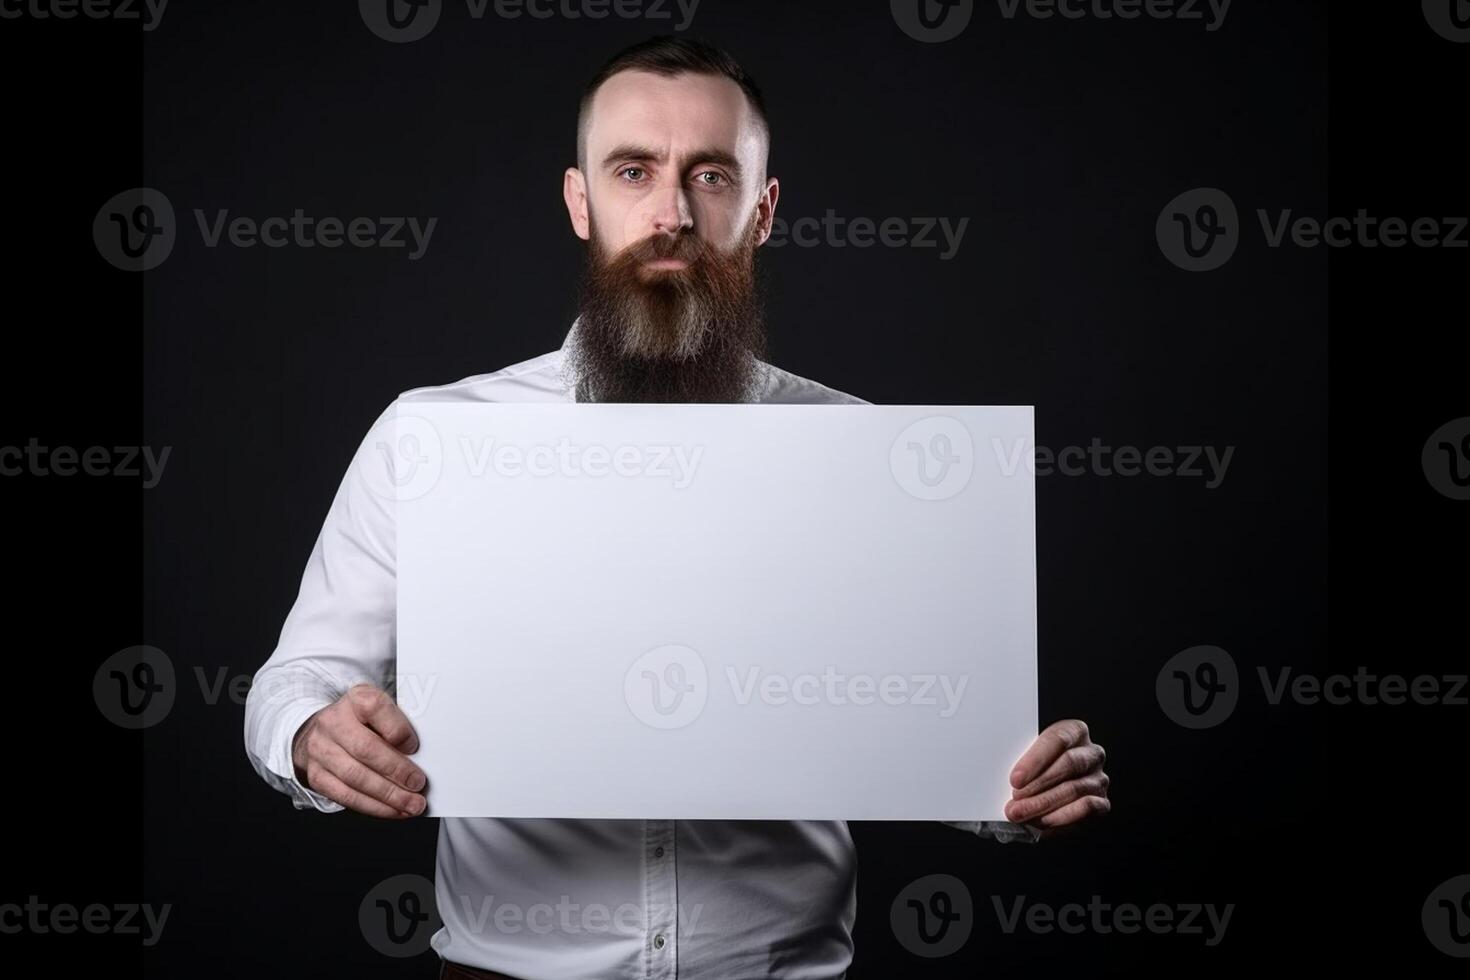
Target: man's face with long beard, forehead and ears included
x,y
670,306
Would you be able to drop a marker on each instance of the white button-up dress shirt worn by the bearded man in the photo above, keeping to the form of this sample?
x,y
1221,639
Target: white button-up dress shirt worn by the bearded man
x,y
699,900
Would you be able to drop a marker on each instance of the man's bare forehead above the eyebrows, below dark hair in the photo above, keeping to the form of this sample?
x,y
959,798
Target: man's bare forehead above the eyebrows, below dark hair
x,y
673,112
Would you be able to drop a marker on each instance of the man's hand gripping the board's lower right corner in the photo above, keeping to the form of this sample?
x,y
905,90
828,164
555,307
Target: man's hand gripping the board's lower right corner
x,y
1059,782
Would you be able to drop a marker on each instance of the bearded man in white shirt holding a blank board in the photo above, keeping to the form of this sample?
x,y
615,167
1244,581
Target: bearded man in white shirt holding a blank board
x,y
673,196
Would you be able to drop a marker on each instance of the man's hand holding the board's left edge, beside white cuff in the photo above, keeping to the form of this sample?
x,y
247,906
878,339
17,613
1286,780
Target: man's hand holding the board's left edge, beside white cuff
x,y
355,753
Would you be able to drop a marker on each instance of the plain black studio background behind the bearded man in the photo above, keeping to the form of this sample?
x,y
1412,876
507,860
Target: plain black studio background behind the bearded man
x,y
1061,142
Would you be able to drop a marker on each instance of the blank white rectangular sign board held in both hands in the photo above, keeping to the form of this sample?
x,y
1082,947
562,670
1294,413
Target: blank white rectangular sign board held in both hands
x,y
717,612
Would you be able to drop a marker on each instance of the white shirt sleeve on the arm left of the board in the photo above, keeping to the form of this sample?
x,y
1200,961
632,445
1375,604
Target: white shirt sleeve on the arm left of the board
x,y
342,630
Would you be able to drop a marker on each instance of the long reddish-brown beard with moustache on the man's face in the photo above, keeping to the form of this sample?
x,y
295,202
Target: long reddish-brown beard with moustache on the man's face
x,y
692,334
